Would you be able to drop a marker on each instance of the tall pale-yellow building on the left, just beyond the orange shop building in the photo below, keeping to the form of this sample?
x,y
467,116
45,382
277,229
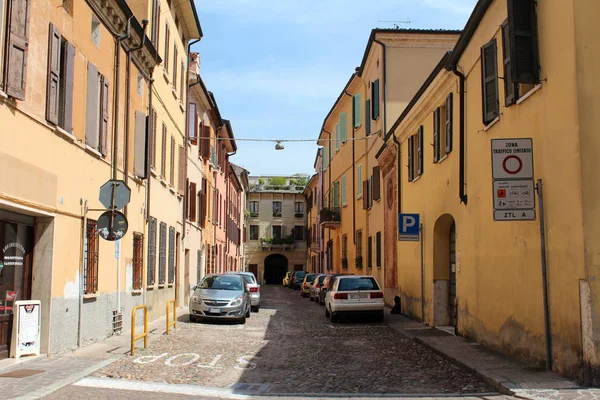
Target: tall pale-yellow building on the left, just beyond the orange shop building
x,y
172,27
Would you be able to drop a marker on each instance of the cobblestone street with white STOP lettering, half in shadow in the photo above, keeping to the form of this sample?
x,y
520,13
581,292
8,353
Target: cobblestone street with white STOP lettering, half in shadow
x,y
288,349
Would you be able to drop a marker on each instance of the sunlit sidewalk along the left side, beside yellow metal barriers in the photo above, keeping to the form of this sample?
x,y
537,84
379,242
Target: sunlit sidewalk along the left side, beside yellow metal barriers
x,y
30,378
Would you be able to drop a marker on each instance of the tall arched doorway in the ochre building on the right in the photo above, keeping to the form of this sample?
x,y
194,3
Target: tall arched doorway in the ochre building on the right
x,y
444,272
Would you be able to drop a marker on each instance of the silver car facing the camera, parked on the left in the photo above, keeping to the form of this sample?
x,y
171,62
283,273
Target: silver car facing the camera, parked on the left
x,y
221,297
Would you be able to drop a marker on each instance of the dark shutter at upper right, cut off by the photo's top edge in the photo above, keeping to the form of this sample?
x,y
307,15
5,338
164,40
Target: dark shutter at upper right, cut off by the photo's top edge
x,y
523,41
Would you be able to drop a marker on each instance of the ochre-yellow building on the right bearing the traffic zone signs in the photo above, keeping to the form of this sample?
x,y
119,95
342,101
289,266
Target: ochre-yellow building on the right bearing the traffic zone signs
x,y
510,114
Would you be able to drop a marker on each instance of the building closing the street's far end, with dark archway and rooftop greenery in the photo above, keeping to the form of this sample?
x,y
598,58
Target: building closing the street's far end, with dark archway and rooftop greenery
x,y
276,227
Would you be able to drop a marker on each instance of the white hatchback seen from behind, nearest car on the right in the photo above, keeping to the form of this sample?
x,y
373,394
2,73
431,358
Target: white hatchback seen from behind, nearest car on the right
x,y
354,294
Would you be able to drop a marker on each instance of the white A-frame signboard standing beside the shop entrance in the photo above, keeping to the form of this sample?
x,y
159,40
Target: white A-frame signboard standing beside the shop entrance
x,y
26,328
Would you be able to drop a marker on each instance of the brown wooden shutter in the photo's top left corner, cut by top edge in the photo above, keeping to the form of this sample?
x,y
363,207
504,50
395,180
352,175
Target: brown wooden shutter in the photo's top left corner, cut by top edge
x,y
15,64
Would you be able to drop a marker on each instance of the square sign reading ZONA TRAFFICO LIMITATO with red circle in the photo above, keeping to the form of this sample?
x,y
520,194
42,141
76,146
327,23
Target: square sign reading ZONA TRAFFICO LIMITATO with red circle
x,y
512,159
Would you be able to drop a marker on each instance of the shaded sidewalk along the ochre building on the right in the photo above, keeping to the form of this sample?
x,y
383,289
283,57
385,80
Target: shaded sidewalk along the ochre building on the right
x,y
507,375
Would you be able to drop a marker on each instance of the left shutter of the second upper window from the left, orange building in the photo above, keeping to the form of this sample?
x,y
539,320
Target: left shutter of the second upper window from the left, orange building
x,y
53,78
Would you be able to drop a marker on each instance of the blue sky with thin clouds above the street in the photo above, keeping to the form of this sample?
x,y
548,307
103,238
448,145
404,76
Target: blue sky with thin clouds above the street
x,y
277,66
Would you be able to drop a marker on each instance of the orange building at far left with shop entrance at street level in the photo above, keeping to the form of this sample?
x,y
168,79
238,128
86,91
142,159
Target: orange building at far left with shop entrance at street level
x,y
68,119
